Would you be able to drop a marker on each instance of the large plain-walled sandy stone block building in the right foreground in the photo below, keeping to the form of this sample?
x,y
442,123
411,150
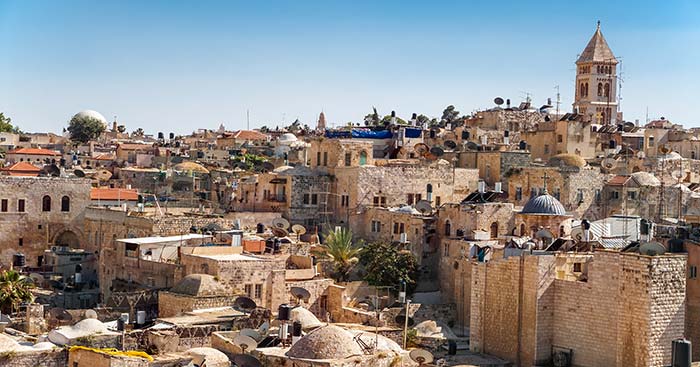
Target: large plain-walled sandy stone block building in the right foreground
x,y
599,309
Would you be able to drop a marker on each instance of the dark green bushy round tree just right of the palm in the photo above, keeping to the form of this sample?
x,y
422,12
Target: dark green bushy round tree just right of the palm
x,y
386,265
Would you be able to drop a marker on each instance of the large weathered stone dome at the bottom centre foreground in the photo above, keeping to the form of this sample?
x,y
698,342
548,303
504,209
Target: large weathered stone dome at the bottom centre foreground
x,y
328,342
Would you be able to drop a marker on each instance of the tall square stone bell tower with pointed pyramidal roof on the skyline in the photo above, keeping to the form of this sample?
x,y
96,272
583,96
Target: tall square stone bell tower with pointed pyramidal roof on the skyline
x,y
596,81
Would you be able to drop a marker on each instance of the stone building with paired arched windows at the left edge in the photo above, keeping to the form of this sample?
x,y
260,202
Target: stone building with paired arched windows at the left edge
x,y
38,212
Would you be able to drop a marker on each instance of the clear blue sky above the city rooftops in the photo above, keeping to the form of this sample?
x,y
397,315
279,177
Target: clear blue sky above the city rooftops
x,y
180,65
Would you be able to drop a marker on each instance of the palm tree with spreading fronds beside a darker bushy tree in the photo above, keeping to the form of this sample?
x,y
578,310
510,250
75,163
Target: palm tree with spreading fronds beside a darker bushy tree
x,y
339,249
